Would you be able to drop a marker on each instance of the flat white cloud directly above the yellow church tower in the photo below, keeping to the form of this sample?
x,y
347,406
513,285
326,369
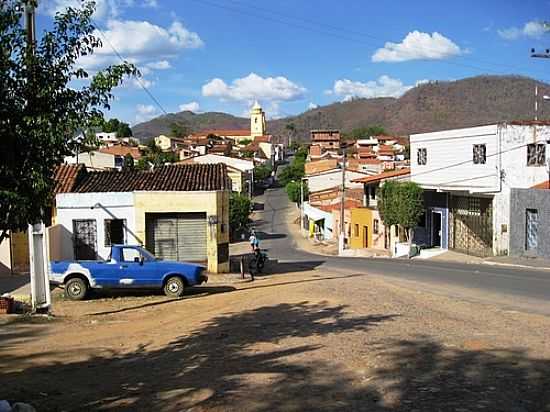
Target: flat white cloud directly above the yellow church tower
x,y
254,87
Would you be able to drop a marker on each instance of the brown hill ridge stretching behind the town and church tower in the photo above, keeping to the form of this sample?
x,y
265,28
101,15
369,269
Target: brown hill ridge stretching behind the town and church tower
x,y
427,107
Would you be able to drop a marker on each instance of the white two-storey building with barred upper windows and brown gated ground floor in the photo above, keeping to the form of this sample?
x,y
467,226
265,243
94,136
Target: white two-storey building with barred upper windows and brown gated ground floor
x,y
469,174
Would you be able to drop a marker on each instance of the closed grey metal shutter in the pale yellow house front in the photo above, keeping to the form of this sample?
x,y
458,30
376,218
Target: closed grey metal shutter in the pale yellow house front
x,y
180,237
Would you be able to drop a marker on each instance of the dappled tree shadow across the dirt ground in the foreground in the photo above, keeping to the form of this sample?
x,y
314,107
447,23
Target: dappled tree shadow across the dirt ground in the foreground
x,y
270,358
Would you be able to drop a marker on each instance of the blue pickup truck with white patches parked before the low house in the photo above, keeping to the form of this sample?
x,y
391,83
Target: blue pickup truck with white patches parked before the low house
x,y
127,267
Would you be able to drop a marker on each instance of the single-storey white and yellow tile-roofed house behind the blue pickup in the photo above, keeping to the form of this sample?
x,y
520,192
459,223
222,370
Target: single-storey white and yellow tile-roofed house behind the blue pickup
x,y
178,212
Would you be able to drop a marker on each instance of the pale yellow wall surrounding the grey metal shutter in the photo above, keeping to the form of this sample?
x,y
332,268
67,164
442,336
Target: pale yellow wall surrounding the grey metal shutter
x,y
214,203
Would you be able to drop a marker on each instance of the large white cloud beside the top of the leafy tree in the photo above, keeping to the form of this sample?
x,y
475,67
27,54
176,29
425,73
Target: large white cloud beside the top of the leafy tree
x,y
149,42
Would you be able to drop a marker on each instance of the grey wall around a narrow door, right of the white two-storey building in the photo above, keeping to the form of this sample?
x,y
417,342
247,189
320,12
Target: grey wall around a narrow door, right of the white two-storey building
x,y
522,199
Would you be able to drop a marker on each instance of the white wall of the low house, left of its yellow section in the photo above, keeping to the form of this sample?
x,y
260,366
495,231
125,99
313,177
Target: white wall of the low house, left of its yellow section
x,y
75,206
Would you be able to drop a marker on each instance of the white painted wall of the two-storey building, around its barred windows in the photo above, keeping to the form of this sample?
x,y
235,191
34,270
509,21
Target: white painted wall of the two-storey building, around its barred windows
x,y
450,166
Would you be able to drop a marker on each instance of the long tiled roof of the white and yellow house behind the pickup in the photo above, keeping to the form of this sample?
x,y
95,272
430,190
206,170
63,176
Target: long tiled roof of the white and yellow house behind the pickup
x,y
193,177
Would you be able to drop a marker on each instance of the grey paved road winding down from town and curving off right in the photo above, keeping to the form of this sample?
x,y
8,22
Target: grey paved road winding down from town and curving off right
x,y
510,288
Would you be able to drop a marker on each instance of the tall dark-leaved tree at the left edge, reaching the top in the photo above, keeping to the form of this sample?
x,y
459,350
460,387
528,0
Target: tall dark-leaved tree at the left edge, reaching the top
x,y
42,109
